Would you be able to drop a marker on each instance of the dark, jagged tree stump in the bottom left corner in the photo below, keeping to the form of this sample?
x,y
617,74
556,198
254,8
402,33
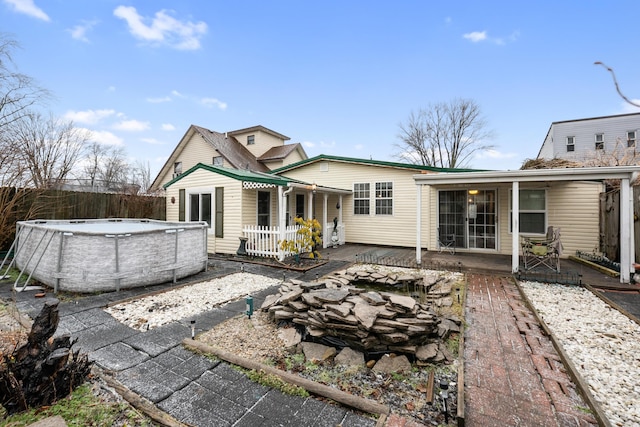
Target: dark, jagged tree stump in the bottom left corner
x,y
44,369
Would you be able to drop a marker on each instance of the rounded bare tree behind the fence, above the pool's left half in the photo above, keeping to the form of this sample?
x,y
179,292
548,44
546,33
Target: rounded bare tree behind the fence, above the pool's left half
x,y
49,148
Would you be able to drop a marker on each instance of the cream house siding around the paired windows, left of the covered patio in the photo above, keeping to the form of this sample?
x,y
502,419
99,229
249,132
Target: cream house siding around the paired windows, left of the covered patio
x,y
398,229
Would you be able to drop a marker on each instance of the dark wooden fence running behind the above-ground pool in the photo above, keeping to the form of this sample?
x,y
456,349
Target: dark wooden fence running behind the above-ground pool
x,y
18,204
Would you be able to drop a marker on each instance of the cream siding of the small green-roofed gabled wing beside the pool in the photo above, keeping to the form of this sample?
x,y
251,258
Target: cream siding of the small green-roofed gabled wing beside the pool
x,y
204,181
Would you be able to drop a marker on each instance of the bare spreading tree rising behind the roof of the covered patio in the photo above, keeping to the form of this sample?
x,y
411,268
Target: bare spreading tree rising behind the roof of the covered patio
x,y
444,135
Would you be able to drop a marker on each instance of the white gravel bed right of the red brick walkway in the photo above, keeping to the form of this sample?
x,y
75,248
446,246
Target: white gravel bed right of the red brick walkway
x,y
602,343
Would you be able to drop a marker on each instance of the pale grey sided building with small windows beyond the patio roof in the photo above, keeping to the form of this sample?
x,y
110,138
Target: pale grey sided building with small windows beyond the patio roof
x,y
587,139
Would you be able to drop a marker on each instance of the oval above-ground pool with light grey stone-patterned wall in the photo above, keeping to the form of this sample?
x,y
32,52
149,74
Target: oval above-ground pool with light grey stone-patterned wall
x,y
96,255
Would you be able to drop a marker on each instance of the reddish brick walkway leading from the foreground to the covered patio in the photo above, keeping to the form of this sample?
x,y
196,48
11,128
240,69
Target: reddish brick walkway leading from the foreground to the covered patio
x,y
513,374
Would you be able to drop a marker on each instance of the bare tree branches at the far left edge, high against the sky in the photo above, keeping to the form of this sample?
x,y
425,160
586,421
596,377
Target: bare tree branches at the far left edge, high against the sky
x,y
18,92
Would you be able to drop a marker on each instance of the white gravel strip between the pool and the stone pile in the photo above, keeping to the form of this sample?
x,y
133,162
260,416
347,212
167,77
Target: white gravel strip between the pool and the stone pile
x,y
157,310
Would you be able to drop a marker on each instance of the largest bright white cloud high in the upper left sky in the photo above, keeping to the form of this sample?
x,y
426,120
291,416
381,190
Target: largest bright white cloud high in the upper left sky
x,y
163,28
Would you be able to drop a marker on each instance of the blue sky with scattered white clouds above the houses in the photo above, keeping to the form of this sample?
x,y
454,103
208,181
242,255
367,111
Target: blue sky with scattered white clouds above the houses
x,y
336,76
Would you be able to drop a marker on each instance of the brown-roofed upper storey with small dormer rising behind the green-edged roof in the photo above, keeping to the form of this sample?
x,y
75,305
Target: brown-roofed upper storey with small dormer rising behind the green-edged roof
x,y
256,149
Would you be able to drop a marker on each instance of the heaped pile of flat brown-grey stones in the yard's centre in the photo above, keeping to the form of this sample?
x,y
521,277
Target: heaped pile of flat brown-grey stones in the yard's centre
x,y
365,320
